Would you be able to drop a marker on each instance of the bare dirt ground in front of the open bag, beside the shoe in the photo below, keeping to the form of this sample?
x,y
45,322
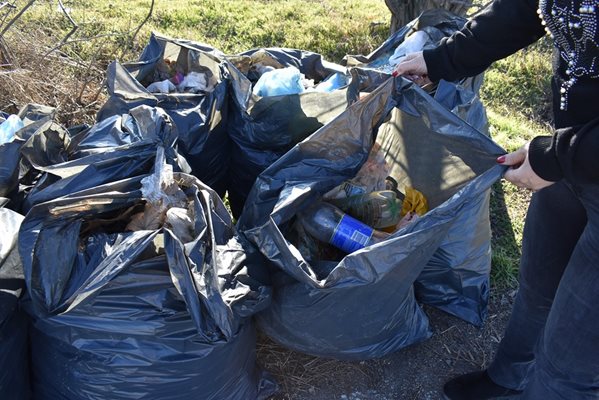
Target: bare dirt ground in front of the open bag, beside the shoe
x,y
414,373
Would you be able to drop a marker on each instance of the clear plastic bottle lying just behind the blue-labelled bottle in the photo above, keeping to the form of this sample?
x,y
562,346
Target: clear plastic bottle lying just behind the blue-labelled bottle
x,y
378,209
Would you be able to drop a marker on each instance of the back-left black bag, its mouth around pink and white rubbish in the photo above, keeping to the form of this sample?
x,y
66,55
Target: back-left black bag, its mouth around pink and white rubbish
x,y
200,118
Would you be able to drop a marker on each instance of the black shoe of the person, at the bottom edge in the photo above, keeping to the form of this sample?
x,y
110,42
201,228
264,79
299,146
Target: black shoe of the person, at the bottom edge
x,y
475,386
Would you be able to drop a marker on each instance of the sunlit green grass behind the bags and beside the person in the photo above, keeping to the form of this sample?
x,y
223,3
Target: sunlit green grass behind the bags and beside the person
x,y
515,90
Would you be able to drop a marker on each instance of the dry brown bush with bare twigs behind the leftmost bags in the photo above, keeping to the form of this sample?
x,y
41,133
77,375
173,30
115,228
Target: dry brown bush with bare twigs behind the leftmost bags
x,y
40,63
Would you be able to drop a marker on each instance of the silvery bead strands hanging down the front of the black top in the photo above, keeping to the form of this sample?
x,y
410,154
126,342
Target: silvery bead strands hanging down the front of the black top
x,y
573,27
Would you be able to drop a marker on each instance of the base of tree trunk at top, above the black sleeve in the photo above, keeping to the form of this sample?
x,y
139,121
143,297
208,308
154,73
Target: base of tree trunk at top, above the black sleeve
x,y
404,11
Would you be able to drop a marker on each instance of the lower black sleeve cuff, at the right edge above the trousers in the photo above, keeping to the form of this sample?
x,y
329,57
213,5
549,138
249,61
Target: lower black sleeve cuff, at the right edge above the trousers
x,y
571,153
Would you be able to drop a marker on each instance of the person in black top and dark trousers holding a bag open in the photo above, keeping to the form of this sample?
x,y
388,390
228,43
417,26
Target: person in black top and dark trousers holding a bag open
x,y
550,349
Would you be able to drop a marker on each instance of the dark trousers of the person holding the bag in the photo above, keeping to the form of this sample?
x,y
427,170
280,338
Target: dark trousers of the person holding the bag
x,y
551,345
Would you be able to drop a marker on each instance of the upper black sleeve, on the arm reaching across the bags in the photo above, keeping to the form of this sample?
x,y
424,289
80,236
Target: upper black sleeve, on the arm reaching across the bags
x,y
503,28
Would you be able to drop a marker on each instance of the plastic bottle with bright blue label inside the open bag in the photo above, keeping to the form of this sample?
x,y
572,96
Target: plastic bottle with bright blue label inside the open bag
x,y
329,224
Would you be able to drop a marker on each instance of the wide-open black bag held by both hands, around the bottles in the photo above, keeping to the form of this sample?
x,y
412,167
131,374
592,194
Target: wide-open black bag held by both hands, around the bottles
x,y
362,305
